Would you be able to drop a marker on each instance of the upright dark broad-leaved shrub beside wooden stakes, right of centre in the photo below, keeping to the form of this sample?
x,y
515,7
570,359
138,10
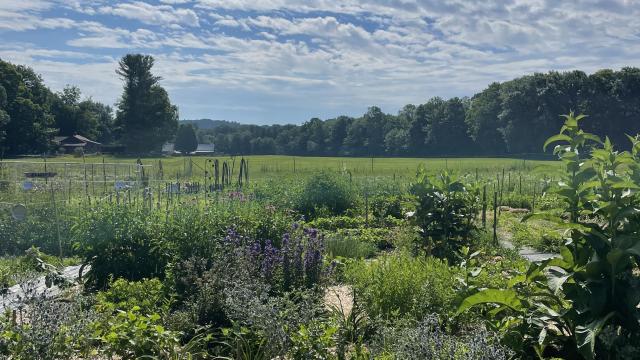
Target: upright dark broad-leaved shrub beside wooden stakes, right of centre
x,y
445,212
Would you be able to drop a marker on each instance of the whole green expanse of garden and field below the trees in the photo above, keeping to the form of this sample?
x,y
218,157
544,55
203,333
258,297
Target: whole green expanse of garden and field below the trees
x,y
325,258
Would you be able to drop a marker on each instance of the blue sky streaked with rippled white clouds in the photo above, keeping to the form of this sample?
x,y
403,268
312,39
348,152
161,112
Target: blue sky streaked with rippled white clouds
x,y
286,61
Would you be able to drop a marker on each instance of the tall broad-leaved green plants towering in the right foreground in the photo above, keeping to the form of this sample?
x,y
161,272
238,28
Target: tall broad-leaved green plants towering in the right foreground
x,y
592,286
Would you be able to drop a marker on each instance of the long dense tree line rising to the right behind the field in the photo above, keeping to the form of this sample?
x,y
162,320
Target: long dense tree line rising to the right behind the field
x,y
513,117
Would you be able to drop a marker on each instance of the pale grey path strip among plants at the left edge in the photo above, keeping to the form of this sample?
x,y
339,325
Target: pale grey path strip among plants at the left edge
x,y
17,294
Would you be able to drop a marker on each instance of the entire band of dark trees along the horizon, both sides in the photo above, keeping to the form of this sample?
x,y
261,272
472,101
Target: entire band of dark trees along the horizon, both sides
x,y
513,117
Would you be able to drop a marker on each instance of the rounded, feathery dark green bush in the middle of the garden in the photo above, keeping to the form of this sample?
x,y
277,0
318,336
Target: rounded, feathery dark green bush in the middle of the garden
x,y
326,193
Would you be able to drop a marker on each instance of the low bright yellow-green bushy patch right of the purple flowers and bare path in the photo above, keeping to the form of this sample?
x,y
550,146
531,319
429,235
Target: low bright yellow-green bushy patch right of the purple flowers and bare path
x,y
399,285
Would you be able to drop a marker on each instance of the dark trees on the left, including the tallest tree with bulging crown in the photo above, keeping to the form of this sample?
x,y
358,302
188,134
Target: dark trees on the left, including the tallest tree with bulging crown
x,y
31,115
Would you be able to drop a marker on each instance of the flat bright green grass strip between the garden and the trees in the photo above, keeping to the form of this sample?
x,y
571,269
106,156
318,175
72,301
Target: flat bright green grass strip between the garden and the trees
x,y
272,166
